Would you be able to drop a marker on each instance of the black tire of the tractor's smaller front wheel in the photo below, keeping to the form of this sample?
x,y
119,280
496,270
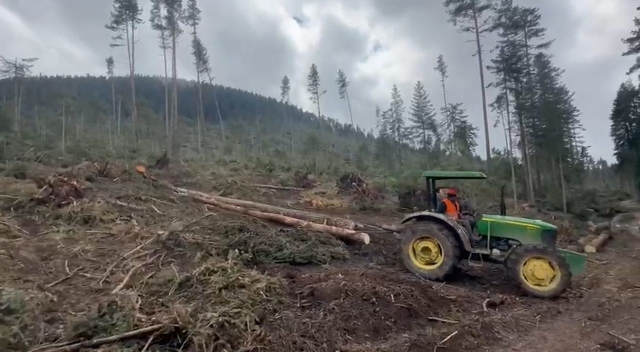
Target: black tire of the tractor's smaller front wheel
x,y
558,284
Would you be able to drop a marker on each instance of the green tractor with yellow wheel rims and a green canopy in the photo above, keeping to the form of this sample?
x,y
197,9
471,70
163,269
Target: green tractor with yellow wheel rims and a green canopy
x,y
433,244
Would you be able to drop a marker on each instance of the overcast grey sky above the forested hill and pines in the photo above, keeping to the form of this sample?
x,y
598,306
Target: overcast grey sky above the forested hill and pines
x,y
378,43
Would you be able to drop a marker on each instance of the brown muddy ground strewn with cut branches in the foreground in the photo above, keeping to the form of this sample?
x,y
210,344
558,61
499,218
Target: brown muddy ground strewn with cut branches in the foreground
x,y
108,252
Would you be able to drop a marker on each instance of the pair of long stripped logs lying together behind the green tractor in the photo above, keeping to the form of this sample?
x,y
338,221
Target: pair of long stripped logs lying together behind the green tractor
x,y
343,229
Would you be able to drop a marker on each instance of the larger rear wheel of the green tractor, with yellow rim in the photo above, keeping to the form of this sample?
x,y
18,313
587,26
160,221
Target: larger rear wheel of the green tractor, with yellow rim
x,y
429,250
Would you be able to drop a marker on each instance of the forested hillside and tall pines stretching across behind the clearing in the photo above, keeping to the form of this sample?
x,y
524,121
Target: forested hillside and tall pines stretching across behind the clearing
x,y
544,152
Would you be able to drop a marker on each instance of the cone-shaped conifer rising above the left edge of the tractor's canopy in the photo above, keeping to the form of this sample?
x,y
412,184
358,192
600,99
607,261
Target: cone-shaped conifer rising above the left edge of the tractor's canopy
x,y
423,123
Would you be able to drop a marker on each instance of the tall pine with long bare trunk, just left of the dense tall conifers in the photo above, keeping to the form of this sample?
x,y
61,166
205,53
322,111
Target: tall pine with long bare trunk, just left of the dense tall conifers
x,y
470,17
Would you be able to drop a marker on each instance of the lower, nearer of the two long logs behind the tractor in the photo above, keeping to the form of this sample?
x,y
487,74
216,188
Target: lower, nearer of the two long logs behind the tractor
x,y
343,234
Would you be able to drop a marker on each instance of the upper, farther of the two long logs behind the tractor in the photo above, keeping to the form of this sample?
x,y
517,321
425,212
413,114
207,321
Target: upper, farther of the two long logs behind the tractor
x,y
292,213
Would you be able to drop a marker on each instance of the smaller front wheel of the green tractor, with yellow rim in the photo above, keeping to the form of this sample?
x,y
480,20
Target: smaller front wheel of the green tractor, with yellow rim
x,y
540,271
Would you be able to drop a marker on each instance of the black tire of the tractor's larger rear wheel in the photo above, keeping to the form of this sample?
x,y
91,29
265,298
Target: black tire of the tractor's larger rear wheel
x,y
432,231
